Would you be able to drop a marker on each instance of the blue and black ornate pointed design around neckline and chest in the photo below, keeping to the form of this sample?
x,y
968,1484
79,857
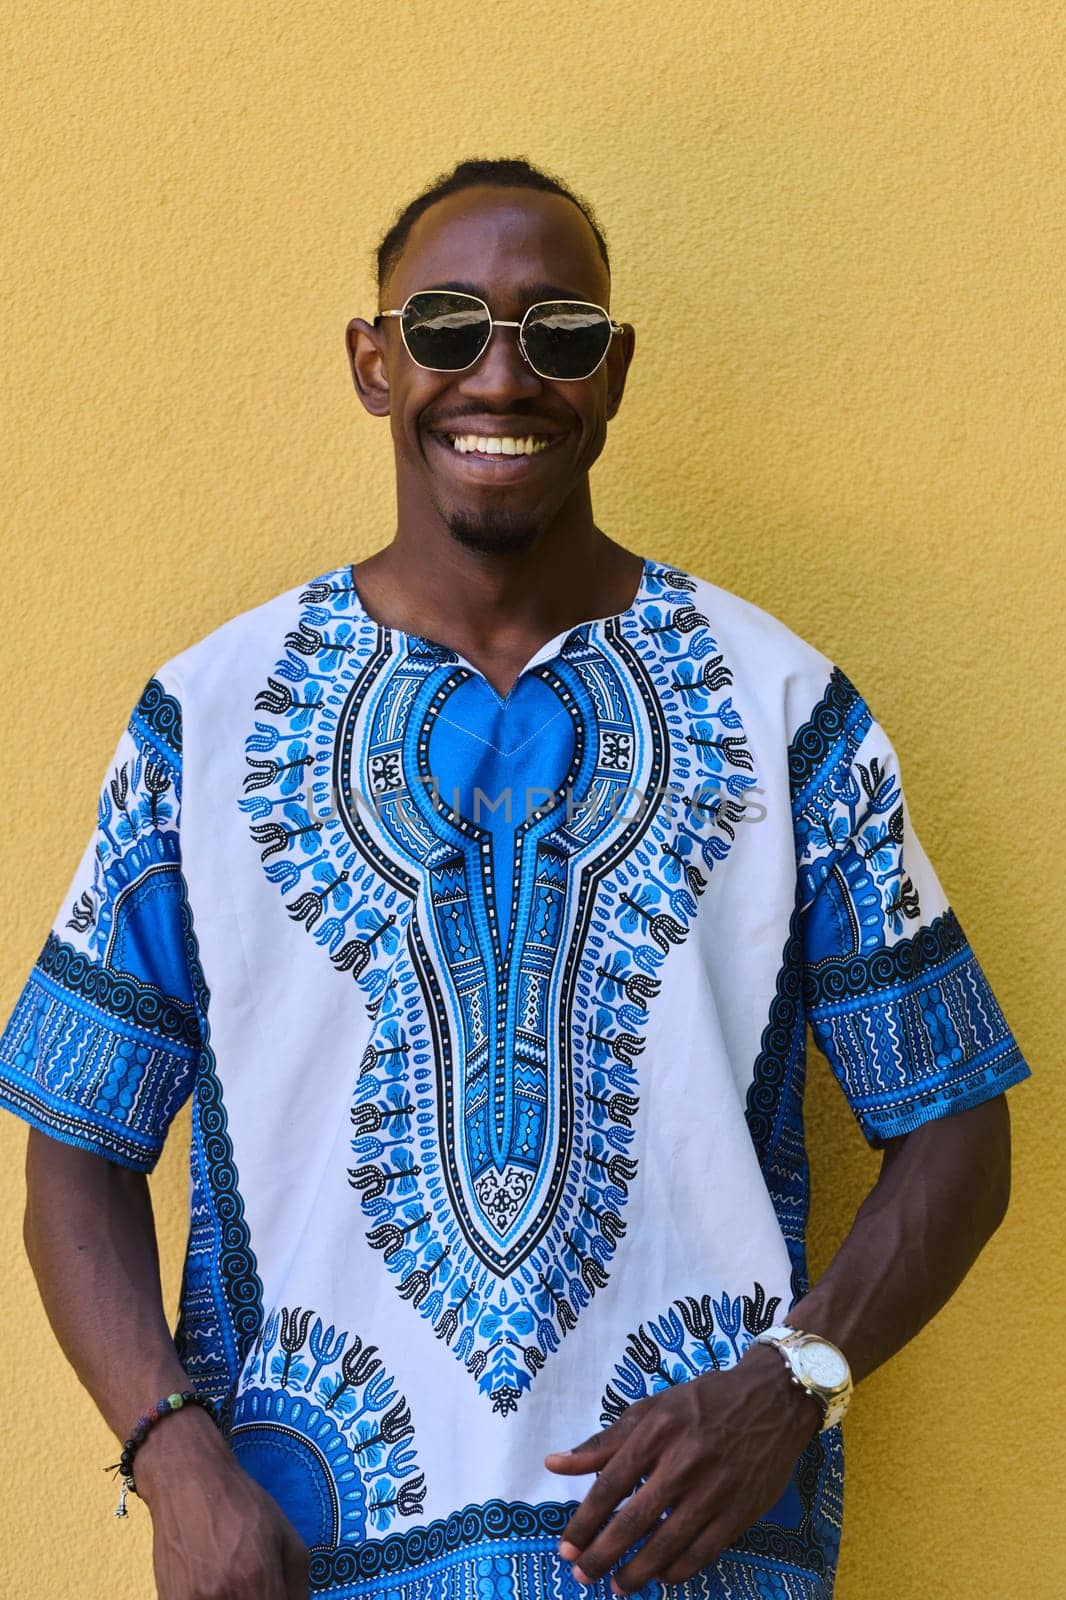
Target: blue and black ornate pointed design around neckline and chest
x,y
505,882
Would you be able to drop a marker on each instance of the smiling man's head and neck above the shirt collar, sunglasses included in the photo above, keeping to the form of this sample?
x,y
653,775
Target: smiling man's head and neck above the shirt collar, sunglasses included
x,y
495,548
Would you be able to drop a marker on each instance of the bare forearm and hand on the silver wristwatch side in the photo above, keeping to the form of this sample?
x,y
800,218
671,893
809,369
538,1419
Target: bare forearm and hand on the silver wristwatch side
x,y
719,1450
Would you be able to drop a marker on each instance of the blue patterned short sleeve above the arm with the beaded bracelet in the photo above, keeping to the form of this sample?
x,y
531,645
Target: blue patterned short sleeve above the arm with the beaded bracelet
x,y
103,1042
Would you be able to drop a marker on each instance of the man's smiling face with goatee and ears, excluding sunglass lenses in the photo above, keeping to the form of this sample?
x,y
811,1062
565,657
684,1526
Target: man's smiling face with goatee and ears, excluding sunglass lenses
x,y
511,247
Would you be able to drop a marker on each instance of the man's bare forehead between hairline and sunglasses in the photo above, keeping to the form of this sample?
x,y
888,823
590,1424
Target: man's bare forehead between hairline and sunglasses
x,y
503,241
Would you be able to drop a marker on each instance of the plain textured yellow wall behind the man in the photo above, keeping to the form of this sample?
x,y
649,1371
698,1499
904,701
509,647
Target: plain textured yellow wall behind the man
x,y
840,233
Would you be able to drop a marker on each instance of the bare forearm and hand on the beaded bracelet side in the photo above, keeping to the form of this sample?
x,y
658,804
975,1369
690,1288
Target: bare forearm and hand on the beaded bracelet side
x,y
90,1239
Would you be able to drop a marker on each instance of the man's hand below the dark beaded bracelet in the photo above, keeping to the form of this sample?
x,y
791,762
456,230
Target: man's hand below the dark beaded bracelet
x,y
217,1534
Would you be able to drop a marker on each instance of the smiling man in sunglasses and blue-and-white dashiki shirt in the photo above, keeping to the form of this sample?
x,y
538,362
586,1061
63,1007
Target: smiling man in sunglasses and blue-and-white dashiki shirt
x,y
481,894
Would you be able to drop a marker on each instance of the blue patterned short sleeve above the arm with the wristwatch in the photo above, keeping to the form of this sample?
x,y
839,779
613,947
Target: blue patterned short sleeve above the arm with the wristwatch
x,y
894,993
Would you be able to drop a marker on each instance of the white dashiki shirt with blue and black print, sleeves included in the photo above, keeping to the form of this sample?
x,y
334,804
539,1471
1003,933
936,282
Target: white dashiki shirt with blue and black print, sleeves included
x,y
492,1014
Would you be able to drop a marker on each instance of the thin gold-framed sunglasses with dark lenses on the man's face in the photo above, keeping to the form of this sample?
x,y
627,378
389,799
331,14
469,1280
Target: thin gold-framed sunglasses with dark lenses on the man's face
x,y
446,332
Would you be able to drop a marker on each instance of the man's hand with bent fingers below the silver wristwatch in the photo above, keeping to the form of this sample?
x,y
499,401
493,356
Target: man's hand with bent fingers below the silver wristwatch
x,y
716,1452
